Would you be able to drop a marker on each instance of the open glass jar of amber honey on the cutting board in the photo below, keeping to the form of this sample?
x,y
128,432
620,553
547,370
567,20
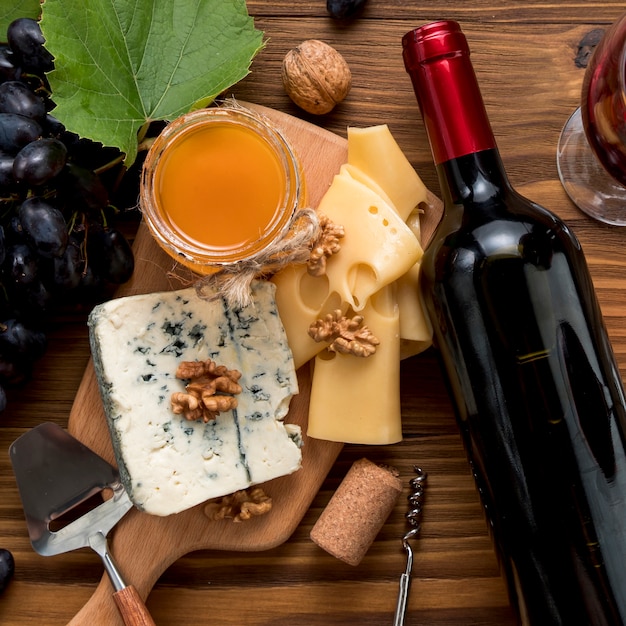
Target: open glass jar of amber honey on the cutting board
x,y
219,186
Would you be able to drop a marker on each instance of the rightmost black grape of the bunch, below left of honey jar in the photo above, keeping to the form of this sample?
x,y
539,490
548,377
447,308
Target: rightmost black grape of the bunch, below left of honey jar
x,y
110,255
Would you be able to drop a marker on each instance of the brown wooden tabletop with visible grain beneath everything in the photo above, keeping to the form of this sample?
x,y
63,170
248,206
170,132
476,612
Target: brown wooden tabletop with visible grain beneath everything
x,y
524,54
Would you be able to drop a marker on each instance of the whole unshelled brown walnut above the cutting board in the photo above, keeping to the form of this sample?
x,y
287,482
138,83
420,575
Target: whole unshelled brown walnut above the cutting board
x,y
315,76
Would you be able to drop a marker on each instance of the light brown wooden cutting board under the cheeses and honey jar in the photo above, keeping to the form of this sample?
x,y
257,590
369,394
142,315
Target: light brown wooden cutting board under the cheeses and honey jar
x,y
144,546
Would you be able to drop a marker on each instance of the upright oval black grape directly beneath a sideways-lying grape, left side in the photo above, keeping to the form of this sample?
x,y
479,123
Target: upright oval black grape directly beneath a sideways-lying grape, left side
x,y
45,226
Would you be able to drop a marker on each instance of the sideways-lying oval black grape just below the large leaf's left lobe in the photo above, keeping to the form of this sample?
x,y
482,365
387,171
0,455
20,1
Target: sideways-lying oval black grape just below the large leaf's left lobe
x,y
39,161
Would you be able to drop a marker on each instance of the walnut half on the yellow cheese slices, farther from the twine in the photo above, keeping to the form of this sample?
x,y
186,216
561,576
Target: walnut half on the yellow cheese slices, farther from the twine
x,y
346,335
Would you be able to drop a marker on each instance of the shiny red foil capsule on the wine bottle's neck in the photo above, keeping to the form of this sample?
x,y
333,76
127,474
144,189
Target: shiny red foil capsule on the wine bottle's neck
x,y
455,118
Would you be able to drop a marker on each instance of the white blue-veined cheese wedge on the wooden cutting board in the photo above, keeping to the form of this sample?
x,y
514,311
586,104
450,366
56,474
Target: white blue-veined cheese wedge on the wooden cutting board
x,y
168,463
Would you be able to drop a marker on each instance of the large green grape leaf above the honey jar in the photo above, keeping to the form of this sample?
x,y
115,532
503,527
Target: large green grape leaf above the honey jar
x,y
121,64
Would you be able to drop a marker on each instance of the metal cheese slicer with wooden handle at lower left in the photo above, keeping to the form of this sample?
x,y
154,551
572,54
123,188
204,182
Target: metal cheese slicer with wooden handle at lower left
x,y
55,474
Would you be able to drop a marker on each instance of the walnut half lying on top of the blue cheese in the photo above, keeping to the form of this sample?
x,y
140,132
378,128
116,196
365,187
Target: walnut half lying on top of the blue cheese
x,y
211,390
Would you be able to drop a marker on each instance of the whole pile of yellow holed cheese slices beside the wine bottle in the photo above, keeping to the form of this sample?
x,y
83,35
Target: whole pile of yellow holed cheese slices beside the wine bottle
x,y
376,196
